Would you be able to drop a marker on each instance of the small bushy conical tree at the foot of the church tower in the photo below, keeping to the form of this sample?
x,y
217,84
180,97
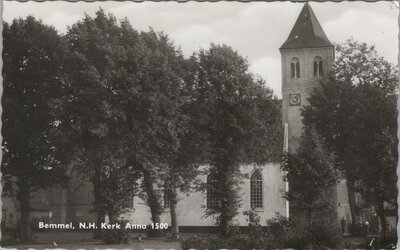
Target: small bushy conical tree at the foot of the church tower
x,y
312,179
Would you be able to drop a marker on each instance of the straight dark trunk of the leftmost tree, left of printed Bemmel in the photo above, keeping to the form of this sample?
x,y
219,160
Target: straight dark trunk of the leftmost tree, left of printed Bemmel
x,y
25,225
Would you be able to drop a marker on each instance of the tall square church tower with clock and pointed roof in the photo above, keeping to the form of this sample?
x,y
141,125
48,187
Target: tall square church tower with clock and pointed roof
x,y
307,55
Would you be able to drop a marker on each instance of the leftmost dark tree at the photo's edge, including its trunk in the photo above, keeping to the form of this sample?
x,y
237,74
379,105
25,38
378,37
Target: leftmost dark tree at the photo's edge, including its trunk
x,y
33,147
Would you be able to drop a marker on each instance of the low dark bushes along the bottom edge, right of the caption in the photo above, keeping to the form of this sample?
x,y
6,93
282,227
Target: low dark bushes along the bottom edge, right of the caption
x,y
281,233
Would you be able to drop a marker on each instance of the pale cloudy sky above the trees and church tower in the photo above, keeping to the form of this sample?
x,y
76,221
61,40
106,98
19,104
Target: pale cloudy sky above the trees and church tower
x,y
255,29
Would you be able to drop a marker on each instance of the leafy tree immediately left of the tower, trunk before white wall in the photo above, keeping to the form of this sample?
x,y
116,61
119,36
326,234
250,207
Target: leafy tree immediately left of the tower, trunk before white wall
x,y
242,119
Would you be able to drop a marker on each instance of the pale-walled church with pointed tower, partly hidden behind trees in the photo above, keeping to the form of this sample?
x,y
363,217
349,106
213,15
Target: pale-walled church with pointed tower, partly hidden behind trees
x,y
306,56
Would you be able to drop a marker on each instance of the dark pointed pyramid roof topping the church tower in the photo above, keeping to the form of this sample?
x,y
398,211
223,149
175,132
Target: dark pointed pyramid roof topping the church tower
x,y
307,32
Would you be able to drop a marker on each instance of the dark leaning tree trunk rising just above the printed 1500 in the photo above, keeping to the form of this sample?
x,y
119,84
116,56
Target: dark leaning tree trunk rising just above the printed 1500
x,y
152,197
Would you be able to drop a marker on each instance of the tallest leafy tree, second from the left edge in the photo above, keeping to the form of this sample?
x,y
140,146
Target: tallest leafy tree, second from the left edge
x,y
93,112
